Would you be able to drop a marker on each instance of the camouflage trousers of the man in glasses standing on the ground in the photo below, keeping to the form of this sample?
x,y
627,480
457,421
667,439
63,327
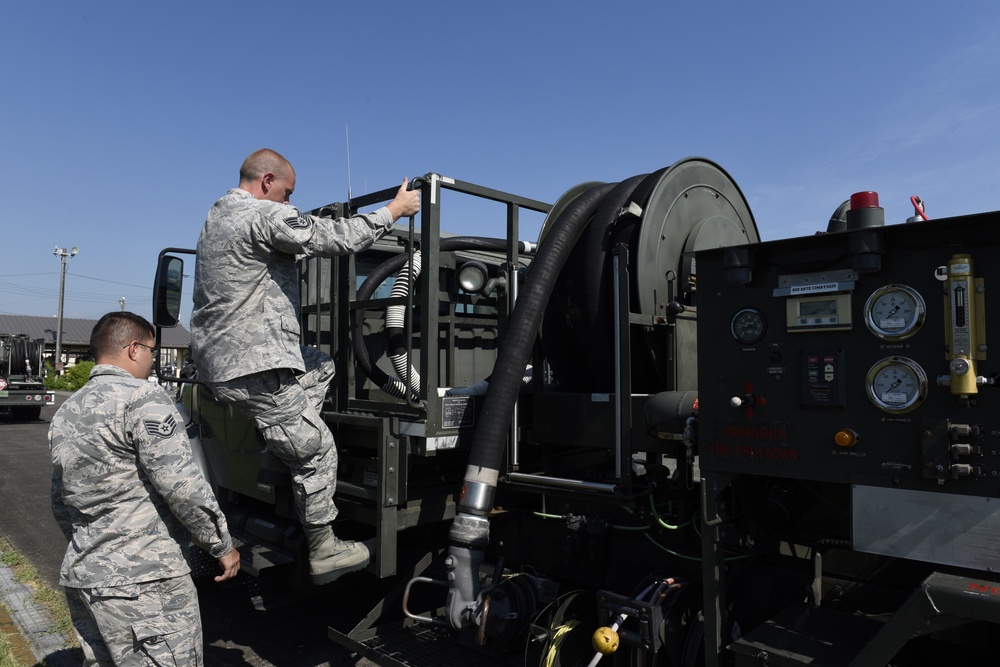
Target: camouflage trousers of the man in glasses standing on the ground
x,y
153,623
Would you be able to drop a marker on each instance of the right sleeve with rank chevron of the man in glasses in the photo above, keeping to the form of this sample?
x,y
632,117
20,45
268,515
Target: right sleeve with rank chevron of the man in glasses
x,y
164,453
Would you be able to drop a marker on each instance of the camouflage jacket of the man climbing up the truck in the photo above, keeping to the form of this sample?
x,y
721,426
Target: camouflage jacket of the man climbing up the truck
x,y
246,281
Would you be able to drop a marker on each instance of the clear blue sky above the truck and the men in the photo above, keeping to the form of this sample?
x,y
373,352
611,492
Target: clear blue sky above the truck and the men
x,y
123,121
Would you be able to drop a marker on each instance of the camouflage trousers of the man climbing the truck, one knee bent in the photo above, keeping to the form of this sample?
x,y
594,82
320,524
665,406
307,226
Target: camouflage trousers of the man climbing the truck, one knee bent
x,y
286,408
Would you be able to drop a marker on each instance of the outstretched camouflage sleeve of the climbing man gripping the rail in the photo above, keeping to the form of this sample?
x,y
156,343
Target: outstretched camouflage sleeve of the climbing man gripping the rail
x,y
287,230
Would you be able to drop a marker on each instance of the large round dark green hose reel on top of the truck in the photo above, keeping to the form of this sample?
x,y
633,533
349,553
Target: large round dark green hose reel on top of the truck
x,y
661,218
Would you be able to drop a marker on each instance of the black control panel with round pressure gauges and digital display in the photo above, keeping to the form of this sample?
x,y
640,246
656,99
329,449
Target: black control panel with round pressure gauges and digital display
x,y
858,357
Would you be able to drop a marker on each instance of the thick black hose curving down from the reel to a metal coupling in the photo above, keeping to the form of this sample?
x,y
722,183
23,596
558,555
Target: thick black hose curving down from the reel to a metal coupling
x,y
491,432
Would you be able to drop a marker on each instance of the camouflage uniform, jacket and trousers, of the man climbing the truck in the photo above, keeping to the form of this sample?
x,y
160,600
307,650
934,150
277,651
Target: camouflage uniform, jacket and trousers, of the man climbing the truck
x,y
245,329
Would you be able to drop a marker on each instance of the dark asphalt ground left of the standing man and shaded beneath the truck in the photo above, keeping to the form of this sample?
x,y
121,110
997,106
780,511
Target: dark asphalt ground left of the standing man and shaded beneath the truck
x,y
291,631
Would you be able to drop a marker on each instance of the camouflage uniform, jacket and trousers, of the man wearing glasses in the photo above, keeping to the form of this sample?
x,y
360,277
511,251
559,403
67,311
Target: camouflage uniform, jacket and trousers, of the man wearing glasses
x,y
128,496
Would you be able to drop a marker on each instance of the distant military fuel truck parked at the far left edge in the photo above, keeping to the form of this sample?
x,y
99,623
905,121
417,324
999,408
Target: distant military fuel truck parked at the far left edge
x,y
22,384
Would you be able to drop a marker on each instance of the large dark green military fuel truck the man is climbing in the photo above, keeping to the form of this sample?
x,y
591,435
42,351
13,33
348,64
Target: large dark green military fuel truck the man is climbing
x,y
645,437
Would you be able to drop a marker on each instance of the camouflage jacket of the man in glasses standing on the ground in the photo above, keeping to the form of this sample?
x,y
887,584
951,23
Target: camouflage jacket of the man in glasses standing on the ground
x,y
125,488
